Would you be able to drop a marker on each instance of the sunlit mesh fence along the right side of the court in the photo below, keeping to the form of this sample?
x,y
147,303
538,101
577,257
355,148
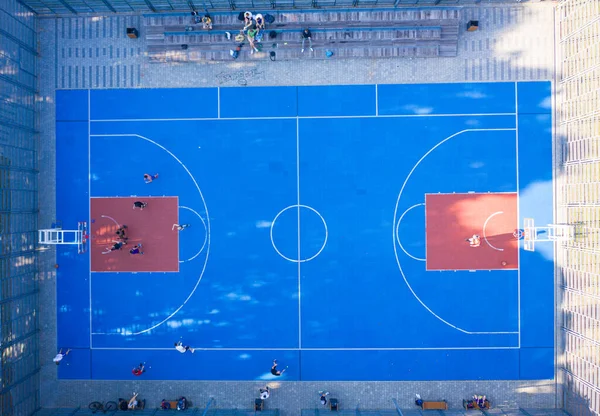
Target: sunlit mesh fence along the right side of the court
x,y
578,202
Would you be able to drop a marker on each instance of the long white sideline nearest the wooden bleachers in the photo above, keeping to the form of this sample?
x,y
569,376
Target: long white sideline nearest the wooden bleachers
x,y
300,117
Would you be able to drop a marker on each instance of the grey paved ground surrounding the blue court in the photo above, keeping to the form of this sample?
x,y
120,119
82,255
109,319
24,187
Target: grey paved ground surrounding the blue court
x,y
513,43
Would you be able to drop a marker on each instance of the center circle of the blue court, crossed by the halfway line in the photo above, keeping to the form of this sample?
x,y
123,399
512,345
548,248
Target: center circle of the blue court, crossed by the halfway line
x,y
299,233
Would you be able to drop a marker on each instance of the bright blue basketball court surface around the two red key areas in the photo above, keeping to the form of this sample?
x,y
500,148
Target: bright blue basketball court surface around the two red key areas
x,y
294,196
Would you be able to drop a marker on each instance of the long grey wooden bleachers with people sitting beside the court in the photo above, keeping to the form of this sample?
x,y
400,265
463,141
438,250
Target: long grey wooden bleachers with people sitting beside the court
x,y
380,33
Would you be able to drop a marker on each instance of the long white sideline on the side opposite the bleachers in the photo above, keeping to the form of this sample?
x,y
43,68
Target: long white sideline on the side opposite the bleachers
x,y
315,349
